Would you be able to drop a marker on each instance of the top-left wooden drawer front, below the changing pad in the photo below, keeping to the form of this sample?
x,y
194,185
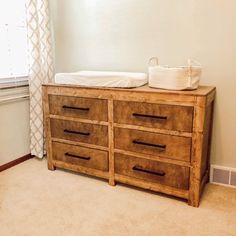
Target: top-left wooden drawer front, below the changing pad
x,y
84,108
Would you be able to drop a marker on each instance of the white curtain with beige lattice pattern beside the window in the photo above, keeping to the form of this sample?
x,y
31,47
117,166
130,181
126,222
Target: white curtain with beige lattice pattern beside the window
x,y
41,68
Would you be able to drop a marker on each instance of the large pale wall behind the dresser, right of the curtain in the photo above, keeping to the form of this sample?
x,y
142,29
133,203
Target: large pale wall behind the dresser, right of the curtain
x,y
122,35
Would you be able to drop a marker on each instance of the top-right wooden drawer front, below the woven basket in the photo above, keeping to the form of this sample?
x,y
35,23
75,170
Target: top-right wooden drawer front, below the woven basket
x,y
170,117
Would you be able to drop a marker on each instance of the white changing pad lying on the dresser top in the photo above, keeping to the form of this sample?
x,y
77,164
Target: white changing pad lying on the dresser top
x,y
102,79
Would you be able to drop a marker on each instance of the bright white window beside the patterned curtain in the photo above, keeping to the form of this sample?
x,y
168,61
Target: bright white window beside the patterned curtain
x,y
13,42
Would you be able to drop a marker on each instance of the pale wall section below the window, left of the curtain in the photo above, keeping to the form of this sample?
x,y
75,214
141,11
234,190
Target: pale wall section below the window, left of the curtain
x,y
14,130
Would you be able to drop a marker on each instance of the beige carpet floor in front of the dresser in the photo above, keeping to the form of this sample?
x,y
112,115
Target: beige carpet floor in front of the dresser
x,y
35,201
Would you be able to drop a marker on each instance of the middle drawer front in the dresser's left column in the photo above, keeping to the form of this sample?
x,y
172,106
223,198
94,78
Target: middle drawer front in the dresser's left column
x,y
79,132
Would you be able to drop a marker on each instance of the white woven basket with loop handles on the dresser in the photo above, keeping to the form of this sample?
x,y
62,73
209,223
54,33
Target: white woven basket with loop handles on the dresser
x,y
175,78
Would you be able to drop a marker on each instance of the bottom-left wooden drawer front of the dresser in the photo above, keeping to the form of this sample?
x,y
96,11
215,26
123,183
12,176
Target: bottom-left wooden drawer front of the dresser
x,y
86,157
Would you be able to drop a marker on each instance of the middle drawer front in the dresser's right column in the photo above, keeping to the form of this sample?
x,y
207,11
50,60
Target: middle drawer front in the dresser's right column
x,y
174,147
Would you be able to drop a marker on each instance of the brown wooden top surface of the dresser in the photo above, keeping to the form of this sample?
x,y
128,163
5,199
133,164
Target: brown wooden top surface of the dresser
x,y
201,91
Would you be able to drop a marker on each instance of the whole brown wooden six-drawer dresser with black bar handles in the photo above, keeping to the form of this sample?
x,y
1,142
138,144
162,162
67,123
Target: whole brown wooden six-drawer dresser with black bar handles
x,y
153,139
